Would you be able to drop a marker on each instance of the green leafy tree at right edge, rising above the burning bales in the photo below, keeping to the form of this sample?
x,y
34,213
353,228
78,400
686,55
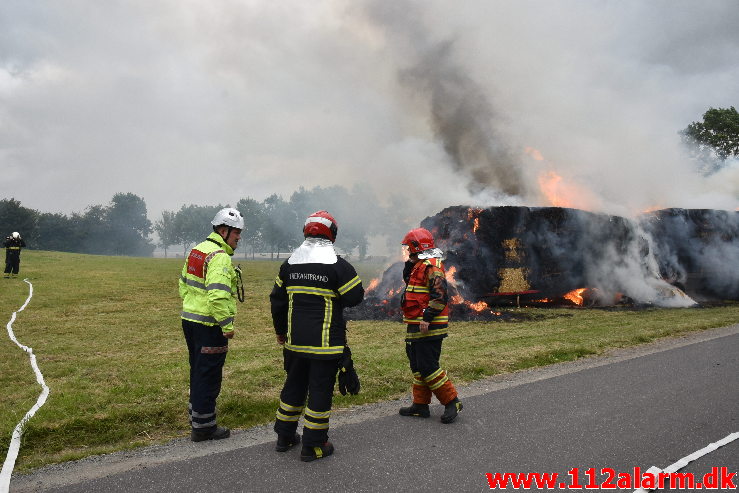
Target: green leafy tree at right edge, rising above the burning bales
x,y
716,138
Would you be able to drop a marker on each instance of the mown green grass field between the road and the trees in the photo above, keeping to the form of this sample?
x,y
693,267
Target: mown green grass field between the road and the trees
x,y
107,335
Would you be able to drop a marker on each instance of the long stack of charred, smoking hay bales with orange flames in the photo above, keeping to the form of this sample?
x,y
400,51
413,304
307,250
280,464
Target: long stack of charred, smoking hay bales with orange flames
x,y
551,256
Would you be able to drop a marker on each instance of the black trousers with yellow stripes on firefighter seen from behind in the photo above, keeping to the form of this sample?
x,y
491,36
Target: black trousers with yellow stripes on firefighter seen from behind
x,y
308,390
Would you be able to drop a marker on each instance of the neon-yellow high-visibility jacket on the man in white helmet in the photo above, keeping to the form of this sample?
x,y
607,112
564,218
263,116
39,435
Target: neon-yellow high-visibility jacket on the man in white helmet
x,y
208,284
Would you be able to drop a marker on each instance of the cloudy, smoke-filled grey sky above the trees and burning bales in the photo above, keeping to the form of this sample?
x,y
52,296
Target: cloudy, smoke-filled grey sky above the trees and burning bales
x,y
480,102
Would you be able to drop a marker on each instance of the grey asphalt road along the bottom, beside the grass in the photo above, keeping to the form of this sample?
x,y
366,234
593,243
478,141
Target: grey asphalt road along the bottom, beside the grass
x,y
645,406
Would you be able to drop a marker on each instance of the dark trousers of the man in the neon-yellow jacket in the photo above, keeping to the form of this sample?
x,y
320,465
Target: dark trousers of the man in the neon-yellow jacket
x,y
207,347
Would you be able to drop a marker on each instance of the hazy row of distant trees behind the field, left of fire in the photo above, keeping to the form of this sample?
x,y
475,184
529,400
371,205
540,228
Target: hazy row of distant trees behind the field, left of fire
x,y
273,225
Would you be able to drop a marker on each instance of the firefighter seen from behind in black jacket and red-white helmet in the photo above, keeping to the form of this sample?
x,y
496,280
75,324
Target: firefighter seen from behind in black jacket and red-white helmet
x,y
310,292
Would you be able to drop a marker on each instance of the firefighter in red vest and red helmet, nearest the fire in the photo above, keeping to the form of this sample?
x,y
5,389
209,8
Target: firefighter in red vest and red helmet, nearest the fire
x,y
426,313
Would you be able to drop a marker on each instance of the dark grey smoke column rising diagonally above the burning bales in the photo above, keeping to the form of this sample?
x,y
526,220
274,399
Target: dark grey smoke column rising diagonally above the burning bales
x,y
459,110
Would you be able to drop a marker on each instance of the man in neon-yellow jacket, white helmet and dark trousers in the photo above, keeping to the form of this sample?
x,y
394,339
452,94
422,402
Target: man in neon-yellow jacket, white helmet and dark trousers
x,y
208,287
